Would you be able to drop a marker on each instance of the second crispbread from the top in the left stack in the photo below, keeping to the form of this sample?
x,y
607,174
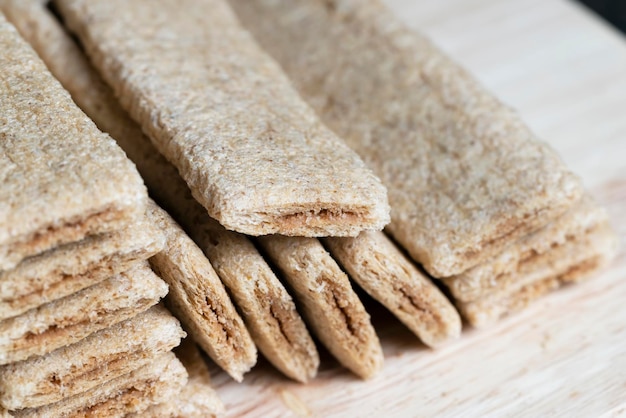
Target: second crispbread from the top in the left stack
x,y
69,268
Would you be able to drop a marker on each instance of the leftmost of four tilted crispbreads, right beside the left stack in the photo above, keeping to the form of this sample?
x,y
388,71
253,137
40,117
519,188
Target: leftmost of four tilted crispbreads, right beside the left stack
x,y
199,299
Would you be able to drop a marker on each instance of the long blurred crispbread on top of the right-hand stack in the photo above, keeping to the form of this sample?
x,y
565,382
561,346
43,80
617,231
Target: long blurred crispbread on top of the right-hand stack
x,y
466,177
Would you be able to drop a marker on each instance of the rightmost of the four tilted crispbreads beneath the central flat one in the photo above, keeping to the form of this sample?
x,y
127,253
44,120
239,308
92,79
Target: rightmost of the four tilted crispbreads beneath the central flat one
x,y
380,268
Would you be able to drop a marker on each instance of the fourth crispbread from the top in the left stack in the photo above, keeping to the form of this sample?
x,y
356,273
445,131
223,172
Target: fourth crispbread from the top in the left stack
x,y
98,358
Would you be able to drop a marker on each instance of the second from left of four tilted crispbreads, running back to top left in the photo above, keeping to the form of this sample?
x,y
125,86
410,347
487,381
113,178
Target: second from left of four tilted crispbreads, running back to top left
x,y
267,308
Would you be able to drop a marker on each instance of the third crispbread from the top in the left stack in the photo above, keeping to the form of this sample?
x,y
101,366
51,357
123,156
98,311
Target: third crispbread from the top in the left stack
x,y
69,319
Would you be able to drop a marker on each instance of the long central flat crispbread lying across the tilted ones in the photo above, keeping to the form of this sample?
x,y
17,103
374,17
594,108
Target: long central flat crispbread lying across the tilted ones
x,y
253,153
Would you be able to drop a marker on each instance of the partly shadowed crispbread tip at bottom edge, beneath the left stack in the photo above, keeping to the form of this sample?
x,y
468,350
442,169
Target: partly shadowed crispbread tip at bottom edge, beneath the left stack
x,y
197,399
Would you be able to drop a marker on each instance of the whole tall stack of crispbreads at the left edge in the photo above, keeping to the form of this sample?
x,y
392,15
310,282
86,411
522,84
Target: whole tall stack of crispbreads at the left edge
x,y
80,329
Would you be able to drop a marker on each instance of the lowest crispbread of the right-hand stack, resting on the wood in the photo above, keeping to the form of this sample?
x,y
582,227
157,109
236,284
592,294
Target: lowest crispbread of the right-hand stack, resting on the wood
x,y
585,257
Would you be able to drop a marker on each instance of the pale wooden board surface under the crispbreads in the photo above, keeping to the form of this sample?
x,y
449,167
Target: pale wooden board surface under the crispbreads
x,y
565,71
